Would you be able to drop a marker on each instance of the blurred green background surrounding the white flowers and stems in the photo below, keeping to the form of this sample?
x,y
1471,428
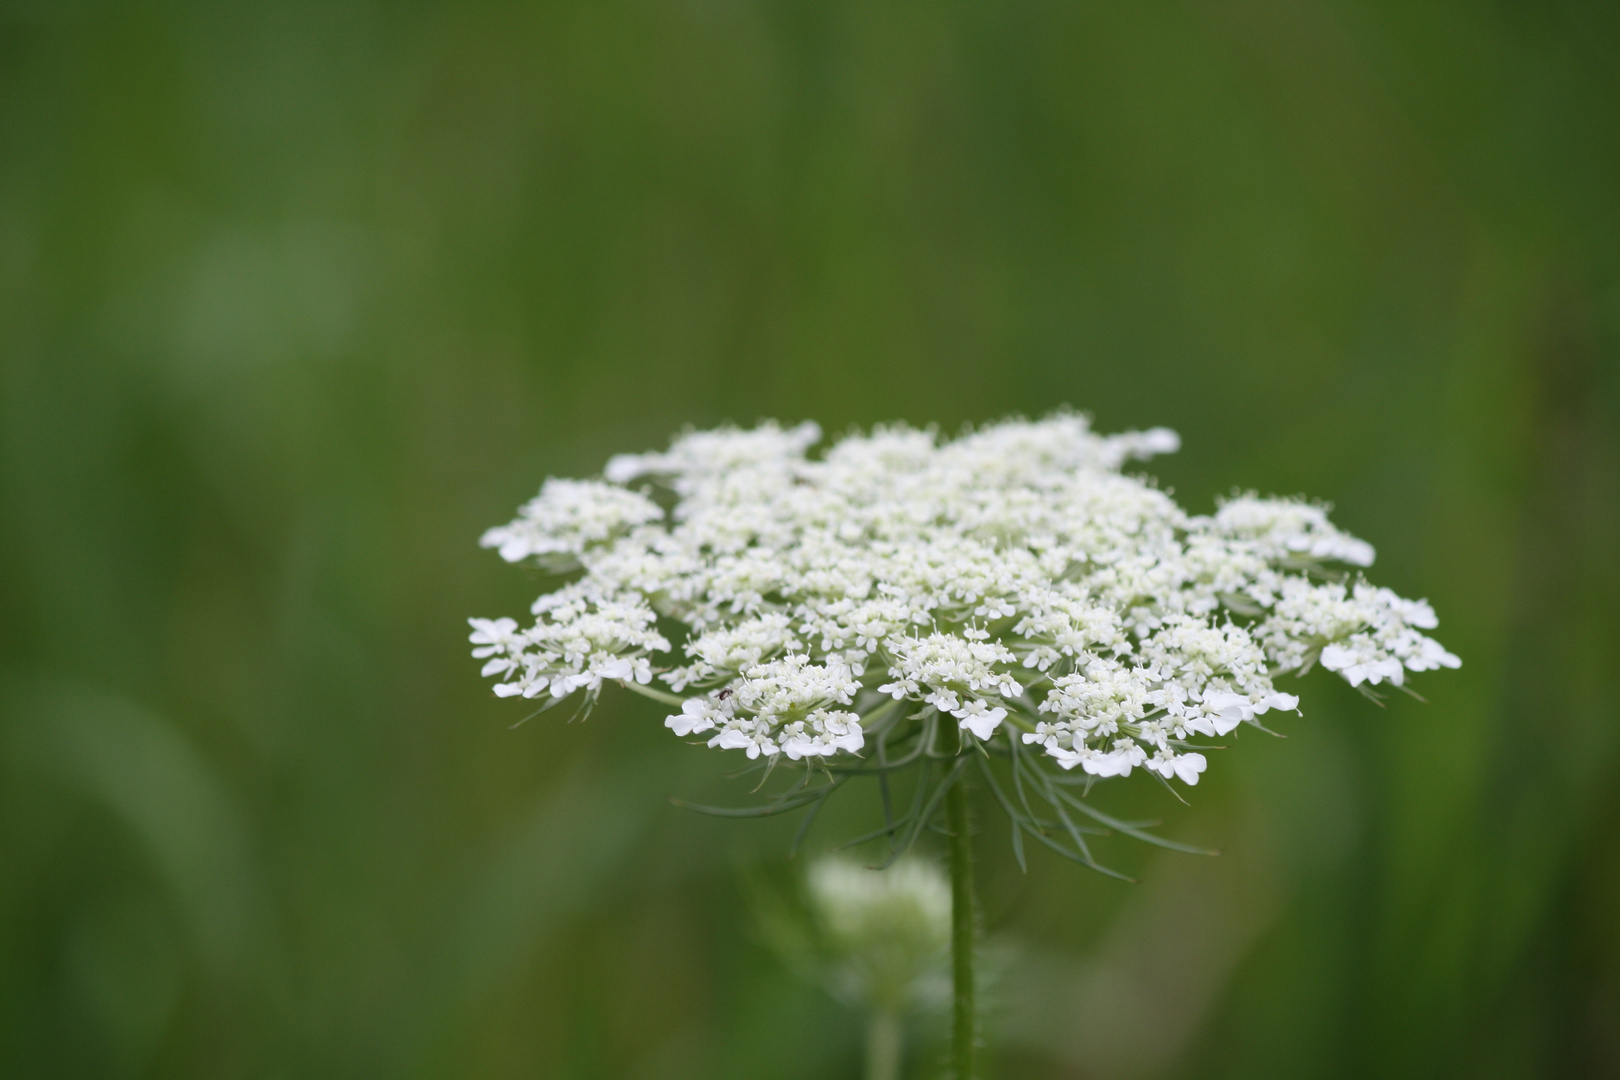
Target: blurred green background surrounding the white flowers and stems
x,y
297,299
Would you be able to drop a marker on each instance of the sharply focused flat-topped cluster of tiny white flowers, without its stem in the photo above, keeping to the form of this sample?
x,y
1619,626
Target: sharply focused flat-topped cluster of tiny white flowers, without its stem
x,y
1008,579
